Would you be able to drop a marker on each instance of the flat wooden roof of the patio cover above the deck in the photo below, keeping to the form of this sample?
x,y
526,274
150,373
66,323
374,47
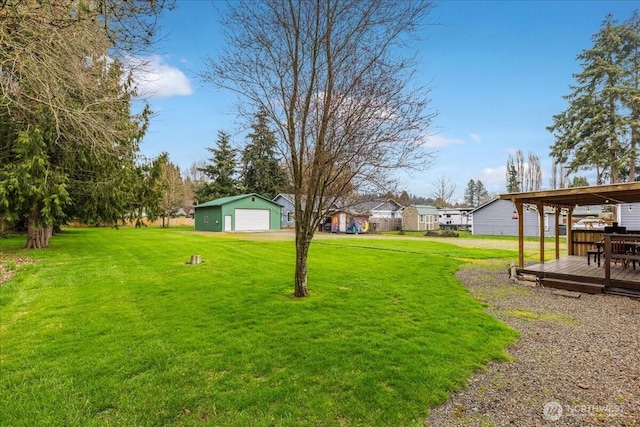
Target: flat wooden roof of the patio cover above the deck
x,y
583,196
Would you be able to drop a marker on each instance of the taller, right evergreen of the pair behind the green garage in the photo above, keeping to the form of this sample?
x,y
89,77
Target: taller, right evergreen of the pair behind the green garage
x,y
261,170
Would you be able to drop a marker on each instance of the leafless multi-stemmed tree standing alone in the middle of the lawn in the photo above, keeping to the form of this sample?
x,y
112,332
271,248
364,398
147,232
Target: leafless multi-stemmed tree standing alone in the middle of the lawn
x,y
330,76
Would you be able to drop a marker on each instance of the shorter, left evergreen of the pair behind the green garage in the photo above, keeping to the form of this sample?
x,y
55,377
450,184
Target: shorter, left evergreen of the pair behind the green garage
x,y
221,173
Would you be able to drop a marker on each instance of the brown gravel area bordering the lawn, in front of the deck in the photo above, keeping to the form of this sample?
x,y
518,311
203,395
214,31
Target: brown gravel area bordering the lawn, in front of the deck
x,y
577,362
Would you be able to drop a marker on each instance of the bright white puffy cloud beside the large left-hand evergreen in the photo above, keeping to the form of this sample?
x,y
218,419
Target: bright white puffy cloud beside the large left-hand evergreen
x,y
156,79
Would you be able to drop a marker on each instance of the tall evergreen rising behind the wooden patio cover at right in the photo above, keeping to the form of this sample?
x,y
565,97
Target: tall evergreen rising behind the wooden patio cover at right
x,y
599,128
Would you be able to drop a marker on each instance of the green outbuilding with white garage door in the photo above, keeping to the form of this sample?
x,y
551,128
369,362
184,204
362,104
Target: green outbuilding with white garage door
x,y
246,212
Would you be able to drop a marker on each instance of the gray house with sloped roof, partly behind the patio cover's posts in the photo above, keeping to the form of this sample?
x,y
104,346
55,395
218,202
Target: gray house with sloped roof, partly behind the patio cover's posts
x,y
499,217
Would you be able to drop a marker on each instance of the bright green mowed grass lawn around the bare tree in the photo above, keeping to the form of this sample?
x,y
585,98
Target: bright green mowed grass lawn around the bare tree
x,y
112,327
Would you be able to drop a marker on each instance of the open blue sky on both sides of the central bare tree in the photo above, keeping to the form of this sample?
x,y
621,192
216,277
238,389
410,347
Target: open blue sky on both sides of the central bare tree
x,y
498,70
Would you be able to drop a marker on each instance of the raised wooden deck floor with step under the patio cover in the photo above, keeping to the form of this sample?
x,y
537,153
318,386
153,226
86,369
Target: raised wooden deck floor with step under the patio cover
x,y
573,273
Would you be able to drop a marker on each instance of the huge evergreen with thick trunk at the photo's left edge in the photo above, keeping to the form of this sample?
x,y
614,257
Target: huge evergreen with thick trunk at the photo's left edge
x,y
68,140
